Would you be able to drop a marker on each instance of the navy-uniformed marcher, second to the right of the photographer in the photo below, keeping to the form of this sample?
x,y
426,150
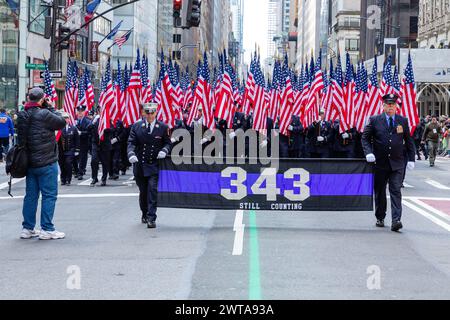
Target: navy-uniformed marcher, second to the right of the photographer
x,y
83,123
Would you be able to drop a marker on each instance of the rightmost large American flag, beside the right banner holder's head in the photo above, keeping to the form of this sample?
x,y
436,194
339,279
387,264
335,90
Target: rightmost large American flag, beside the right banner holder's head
x,y
409,94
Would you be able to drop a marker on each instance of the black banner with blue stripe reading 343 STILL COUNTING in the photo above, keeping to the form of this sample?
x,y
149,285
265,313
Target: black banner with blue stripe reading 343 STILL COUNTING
x,y
296,185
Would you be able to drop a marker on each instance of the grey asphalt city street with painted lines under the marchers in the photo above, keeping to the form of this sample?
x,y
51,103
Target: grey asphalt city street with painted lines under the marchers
x,y
195,254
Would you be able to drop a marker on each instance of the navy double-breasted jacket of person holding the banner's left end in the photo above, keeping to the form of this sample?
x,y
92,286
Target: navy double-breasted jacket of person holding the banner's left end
x,y
146,147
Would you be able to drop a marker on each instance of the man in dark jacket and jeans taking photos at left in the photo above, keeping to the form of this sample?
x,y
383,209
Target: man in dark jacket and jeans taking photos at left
x,y
38,132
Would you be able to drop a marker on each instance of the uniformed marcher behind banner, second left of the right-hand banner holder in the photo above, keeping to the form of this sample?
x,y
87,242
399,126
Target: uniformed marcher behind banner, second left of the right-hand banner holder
x,y
320,138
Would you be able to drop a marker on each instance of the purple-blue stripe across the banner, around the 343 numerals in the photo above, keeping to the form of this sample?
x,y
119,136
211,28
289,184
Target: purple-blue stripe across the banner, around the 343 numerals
x,y
212,183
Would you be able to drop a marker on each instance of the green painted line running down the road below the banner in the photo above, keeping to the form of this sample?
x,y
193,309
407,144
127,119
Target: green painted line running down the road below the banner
x,y
254,272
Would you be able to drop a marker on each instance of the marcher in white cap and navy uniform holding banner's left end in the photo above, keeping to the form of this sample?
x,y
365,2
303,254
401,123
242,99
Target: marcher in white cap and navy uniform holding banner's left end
x,y
149,141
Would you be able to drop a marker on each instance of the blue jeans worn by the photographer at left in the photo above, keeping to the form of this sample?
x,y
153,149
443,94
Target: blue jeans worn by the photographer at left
x,y
40,180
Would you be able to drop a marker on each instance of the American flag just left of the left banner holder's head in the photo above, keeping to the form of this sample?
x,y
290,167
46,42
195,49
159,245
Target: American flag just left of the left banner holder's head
x,y
134,93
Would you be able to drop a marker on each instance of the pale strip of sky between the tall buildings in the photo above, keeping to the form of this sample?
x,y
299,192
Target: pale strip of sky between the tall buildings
x,y
255,28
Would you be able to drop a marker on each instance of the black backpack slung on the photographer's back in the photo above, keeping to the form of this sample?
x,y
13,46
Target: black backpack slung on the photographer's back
x,y
17,157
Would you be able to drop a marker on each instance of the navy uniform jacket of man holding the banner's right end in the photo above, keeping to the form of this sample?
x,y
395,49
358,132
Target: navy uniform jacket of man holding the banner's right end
x,y
388,147
